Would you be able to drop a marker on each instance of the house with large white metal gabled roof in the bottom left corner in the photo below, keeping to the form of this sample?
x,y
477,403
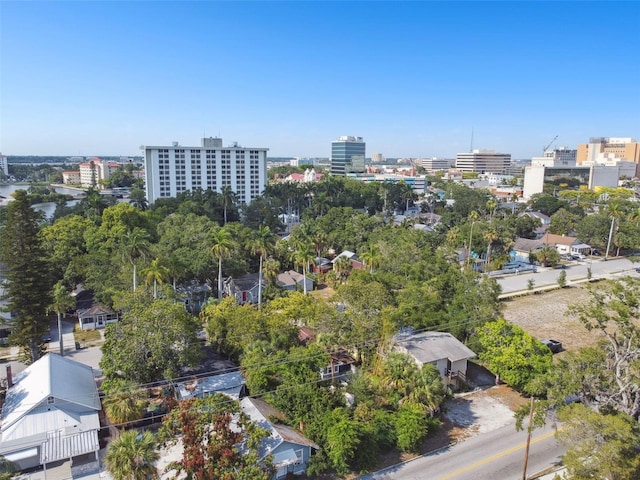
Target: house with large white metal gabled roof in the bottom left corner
x,y
50,413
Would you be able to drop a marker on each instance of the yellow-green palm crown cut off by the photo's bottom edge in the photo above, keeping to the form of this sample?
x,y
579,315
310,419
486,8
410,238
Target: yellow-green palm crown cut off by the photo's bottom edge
x,y
131,456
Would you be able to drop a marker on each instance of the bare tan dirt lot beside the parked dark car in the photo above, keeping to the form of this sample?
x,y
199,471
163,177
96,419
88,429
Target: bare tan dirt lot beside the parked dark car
x,y
543,316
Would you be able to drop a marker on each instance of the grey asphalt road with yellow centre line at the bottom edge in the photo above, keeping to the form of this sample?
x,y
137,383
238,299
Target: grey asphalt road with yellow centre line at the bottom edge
x,y
498,454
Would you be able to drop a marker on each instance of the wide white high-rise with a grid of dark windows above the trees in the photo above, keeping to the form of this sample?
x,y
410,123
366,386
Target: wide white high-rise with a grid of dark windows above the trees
x,y
170,170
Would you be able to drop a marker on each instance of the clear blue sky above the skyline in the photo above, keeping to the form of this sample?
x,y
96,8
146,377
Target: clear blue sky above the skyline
x,y
413,78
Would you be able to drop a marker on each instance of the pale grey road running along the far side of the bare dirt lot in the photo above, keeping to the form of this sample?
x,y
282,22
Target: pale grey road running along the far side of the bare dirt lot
x,y
576,271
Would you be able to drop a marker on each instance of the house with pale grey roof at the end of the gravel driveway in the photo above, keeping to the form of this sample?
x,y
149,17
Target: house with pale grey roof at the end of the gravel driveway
x,y
441,349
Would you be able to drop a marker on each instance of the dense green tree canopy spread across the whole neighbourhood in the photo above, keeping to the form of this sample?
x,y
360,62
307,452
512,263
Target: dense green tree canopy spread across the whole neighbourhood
x,y
147,262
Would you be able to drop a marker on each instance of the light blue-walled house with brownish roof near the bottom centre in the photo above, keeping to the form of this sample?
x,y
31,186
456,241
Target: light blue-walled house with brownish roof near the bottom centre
x,y
290,449
